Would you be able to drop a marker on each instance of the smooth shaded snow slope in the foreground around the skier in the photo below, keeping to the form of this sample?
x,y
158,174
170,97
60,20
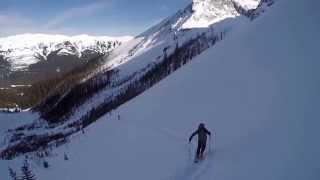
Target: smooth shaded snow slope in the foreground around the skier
x,y
261,101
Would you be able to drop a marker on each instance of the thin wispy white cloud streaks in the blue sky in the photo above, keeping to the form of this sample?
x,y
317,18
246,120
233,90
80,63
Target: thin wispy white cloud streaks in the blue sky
x,y
12,23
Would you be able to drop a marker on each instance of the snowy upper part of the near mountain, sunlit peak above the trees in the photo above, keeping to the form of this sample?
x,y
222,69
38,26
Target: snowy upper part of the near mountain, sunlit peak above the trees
x,y
211,19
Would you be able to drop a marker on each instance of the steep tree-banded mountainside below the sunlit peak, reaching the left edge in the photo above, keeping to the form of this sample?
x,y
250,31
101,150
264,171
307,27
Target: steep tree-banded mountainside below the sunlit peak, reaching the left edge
x,y
127,72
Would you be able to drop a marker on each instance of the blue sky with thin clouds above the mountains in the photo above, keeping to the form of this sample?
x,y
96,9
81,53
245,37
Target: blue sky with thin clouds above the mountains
x,y
93,17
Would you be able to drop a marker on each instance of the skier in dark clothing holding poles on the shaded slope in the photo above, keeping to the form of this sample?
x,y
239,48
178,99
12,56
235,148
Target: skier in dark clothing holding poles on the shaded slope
x,y
202,140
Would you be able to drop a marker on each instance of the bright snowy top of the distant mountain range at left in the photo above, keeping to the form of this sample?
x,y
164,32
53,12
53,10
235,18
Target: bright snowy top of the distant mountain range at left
x,y
23,50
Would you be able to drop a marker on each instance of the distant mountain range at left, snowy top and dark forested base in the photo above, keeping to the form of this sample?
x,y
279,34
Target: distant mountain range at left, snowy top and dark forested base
x,y
30,59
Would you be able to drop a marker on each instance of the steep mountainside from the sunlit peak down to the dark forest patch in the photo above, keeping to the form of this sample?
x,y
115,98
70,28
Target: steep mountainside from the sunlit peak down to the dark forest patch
x,y
163,48
